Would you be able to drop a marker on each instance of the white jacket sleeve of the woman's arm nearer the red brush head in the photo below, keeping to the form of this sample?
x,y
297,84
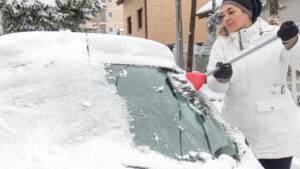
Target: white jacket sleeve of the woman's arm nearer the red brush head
x,y
216,55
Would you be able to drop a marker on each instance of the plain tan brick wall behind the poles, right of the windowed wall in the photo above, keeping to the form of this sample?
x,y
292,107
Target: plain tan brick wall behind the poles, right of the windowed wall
x,y
164,28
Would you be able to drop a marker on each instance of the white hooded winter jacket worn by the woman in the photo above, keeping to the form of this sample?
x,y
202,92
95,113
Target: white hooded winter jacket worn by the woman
x,y
257,100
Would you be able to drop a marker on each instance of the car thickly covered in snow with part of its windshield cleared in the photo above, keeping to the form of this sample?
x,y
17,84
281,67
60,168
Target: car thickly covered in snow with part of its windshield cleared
x,y
85,101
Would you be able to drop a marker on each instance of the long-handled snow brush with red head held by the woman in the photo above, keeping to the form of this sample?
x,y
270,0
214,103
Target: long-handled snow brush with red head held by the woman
x,y
198,78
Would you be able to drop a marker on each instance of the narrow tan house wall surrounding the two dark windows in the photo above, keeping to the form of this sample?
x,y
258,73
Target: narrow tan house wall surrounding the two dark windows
x,y
130,8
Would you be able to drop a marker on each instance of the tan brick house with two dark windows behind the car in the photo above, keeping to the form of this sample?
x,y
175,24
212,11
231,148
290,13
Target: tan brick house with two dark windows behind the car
x,y
156,20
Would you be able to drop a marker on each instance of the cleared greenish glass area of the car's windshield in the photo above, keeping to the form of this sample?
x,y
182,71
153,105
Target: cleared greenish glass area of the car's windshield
x,y
160,118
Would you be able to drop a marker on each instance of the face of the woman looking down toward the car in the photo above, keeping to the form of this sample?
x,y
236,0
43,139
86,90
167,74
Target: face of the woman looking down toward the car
x,y
234,18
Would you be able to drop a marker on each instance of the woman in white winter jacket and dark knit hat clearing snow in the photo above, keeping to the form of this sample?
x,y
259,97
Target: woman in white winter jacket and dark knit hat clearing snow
x,y
257,100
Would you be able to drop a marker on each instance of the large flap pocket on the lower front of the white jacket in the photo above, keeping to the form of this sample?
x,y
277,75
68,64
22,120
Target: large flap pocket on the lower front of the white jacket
x,y
272,122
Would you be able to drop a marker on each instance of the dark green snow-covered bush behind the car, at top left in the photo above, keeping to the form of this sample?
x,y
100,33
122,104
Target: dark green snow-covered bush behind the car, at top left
x,y
33,15
